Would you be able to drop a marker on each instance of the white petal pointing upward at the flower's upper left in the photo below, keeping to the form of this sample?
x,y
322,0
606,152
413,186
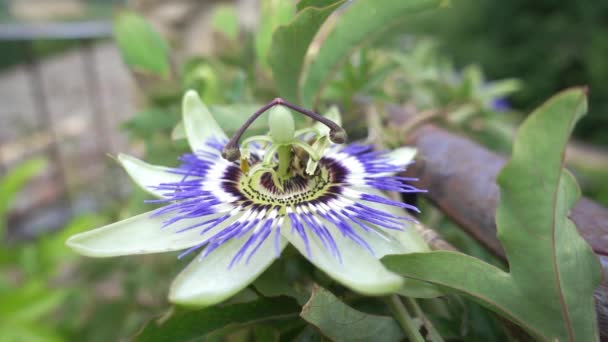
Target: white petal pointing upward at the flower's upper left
x,y
199,124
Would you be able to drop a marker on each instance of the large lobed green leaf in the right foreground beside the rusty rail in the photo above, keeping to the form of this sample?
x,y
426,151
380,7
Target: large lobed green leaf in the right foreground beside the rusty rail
x,y
553,272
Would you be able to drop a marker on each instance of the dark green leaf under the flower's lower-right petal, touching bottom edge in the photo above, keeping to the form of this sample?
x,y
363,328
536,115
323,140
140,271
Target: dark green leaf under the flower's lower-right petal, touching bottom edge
x,y
340,322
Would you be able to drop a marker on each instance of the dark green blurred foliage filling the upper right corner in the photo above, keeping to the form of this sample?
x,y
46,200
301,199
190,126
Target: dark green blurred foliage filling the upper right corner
x,y
549,45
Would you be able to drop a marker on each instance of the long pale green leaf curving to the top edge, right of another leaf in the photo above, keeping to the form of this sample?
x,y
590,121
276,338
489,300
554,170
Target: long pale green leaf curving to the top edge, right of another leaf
x,y
360,23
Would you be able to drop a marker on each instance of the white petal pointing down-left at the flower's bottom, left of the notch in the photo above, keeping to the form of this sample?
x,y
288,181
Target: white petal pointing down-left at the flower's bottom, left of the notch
x,y
209,280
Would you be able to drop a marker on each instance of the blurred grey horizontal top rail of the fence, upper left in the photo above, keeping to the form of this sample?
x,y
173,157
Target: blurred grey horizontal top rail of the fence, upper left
x,y
55,31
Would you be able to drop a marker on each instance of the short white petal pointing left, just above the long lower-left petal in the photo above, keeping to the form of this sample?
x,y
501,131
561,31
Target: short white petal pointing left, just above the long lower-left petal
x,y
146,175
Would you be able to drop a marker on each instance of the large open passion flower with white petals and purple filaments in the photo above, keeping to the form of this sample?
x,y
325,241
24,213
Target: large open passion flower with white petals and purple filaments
x,y
238,205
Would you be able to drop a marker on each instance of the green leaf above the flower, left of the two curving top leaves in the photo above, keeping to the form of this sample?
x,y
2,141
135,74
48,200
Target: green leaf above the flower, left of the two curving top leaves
x,y
289,46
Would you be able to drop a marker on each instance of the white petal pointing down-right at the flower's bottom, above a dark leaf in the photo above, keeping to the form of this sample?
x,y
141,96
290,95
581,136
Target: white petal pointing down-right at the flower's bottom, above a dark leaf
x,y
359,270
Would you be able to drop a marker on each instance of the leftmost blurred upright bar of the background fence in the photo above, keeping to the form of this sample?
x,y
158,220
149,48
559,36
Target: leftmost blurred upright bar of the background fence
x,y
39,99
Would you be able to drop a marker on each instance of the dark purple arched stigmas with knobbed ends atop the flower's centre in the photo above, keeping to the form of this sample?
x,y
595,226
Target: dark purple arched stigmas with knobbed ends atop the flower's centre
x,y
231,151
